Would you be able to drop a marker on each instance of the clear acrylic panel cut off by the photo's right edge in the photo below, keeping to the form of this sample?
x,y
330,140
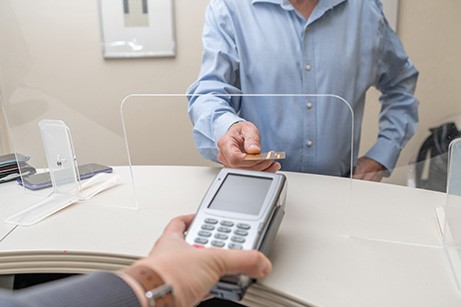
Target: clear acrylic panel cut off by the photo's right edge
x,y
452,211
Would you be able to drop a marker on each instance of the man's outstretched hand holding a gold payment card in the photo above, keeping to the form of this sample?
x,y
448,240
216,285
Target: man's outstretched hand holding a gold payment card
x,y
240,139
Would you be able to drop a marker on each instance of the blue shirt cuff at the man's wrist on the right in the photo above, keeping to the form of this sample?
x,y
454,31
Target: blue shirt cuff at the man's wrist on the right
x,y
385,152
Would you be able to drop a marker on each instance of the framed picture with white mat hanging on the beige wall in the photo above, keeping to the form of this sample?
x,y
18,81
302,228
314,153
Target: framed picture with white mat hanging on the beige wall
x,y
137,28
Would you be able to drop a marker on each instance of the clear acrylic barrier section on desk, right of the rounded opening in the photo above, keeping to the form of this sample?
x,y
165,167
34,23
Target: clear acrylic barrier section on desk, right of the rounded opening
x,y
407,212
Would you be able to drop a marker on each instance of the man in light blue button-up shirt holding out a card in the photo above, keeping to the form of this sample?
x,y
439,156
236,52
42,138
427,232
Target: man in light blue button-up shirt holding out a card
x,y
314,55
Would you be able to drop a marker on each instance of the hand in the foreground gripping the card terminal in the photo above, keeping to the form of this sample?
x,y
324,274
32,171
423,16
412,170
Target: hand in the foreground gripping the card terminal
x,y
192,271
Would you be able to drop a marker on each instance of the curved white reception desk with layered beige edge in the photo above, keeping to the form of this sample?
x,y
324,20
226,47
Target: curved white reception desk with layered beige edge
x,y
316,260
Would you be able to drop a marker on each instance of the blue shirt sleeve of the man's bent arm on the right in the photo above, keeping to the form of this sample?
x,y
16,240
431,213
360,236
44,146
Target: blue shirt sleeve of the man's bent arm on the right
x,y
398,118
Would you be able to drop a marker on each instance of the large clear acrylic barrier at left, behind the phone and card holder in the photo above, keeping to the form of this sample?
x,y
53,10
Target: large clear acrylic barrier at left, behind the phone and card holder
x,y
29,94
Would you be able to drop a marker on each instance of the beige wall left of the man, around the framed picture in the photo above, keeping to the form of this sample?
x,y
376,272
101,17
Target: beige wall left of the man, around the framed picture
x,y
53,68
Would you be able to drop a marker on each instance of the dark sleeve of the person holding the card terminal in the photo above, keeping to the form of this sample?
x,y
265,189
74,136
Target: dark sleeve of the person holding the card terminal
x,y
97,289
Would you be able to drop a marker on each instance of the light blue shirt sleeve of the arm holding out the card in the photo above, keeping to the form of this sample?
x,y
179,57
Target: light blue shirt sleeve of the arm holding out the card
x,y
214,99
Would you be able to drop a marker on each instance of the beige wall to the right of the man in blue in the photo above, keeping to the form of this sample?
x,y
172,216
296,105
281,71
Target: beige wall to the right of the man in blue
x,y
431,34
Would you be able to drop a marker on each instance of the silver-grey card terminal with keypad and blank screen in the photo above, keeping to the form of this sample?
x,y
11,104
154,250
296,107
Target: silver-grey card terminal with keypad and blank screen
x,y
242,209
